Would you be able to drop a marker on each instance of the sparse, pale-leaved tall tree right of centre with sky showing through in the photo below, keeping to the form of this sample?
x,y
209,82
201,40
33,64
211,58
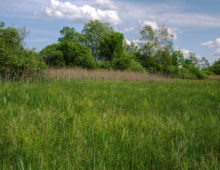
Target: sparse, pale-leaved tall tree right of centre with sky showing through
x,y
155,48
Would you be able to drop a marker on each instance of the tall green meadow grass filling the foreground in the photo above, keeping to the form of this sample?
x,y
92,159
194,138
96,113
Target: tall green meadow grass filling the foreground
x,y
75,124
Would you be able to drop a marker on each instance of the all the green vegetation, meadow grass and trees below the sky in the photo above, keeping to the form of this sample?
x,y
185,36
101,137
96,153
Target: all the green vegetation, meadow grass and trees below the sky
x,y
61,122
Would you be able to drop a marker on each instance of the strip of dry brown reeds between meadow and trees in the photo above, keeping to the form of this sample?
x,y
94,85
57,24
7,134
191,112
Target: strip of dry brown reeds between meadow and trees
x,y
83,74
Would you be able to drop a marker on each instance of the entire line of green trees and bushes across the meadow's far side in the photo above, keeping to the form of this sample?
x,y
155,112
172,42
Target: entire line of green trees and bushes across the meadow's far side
x,y
99,46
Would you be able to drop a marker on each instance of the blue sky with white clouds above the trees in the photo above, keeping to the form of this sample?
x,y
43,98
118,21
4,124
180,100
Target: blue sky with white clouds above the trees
x,y
195,24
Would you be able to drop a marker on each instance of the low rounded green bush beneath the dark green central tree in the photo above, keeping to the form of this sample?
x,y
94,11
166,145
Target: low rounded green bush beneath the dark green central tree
x,y
127,63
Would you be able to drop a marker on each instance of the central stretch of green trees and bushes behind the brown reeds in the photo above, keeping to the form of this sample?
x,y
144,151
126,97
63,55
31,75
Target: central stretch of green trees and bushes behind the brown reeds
x,y
154,53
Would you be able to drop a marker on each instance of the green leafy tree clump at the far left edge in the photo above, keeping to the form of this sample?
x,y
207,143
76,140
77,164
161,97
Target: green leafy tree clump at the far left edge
x,y
15,61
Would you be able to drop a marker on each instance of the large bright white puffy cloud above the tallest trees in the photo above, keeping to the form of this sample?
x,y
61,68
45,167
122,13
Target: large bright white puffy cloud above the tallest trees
x,y
81,14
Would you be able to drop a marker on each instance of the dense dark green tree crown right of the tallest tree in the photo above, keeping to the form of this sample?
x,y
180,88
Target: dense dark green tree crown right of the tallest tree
x,y
112,46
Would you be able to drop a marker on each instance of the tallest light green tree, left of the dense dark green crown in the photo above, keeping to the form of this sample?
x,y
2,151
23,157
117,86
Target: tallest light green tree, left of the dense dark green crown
x,y
94,32
